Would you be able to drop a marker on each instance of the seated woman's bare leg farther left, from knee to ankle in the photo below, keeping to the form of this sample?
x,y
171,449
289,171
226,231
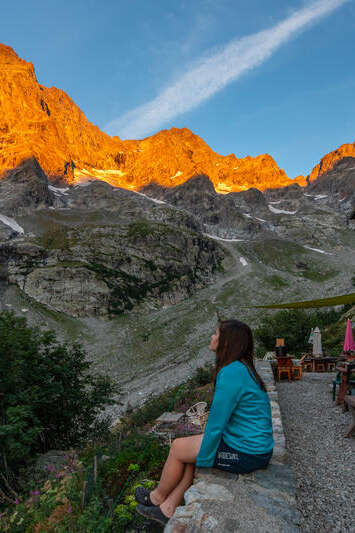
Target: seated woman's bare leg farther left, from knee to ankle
x,y
183,450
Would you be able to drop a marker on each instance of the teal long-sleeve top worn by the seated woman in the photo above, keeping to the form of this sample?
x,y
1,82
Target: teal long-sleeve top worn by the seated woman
x,y
240,413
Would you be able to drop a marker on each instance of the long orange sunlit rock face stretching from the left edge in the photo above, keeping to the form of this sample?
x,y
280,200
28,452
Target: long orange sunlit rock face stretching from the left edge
x,y
45,123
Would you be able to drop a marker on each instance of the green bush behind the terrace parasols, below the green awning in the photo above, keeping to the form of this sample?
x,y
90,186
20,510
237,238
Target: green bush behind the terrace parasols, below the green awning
x,y
294,326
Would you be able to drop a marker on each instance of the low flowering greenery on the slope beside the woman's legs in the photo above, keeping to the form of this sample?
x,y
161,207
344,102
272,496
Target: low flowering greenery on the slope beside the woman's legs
x,y
75,498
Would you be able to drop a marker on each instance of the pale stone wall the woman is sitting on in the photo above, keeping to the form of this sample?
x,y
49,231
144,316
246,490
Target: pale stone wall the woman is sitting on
x,y
263,501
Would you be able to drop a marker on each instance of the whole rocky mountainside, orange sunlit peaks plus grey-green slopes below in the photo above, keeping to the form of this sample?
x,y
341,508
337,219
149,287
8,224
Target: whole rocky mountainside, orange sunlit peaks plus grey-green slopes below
x,y
132,247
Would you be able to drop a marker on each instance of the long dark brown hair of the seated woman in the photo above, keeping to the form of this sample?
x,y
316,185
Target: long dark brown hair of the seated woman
x,y
236,344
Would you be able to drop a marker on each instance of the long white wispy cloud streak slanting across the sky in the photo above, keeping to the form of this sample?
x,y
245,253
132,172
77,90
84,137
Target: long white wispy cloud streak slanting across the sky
x,y
212,73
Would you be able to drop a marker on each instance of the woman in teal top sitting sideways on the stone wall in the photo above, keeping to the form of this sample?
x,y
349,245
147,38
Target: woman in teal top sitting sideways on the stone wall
x,y
238,435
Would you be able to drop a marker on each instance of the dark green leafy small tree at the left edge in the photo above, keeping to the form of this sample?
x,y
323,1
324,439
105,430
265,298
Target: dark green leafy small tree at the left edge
x,y
48,398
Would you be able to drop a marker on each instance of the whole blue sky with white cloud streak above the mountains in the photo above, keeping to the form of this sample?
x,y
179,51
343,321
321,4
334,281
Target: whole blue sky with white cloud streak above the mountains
x,y
140,66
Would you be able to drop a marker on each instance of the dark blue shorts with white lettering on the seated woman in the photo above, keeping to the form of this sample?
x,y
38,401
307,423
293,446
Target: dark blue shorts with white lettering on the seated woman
x,y
236,462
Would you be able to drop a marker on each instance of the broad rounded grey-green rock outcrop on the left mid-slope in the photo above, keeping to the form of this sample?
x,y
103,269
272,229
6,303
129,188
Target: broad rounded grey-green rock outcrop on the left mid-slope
x,y
104,269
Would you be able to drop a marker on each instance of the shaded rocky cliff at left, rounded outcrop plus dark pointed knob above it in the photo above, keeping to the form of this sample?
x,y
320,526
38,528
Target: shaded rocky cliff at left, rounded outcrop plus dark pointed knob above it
x,y
99,259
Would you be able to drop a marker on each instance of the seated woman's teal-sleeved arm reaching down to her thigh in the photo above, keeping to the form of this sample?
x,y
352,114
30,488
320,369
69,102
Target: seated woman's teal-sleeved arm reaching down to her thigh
x,y
226,397
